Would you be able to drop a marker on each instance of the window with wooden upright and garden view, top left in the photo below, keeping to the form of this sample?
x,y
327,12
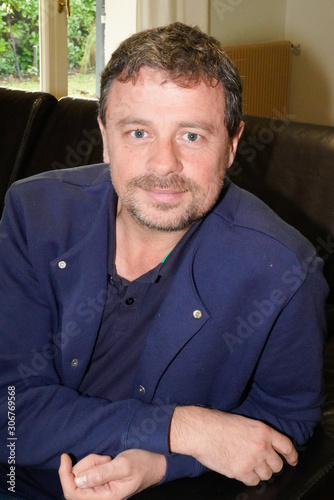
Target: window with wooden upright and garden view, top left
x,y
36,35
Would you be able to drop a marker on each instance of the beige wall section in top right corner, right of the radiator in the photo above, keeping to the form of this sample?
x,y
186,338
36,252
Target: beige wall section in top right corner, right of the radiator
x,y
311,23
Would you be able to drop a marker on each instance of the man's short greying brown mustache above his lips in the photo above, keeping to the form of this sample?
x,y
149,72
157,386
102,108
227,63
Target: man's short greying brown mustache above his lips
x,y
151,181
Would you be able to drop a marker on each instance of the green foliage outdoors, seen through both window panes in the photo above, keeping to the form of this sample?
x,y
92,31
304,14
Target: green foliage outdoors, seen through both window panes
x,y
19,33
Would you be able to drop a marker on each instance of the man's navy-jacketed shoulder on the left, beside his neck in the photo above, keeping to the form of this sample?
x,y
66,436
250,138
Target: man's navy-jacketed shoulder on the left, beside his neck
x,y
59,202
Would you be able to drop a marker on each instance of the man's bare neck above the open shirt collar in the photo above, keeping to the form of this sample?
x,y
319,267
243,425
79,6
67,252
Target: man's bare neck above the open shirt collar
x,y
139,249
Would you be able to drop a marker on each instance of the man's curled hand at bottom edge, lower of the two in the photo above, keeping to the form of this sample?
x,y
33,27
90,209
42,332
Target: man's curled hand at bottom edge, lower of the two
x,y
98,477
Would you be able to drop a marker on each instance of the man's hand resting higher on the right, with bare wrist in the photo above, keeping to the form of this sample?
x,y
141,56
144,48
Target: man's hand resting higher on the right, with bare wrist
x,y
233,445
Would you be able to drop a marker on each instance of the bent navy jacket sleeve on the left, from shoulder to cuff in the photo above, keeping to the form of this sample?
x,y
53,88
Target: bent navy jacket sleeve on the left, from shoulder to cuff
x,y
50,418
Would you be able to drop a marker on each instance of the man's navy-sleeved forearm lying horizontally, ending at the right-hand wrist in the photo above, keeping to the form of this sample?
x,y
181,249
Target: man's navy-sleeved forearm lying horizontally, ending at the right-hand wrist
x,y
61,420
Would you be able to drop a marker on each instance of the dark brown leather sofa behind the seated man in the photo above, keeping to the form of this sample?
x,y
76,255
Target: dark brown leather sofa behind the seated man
x,y
289,165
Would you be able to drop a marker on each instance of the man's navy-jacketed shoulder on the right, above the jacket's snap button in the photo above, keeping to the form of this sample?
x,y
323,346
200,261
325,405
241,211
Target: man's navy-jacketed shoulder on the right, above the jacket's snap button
x,y
243,249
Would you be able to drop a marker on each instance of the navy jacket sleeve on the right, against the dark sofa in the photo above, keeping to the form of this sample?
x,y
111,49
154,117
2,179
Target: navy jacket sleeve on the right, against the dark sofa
x,y
286,391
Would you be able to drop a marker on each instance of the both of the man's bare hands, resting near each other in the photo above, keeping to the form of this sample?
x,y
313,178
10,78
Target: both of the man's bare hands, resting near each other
x,y
232,445
